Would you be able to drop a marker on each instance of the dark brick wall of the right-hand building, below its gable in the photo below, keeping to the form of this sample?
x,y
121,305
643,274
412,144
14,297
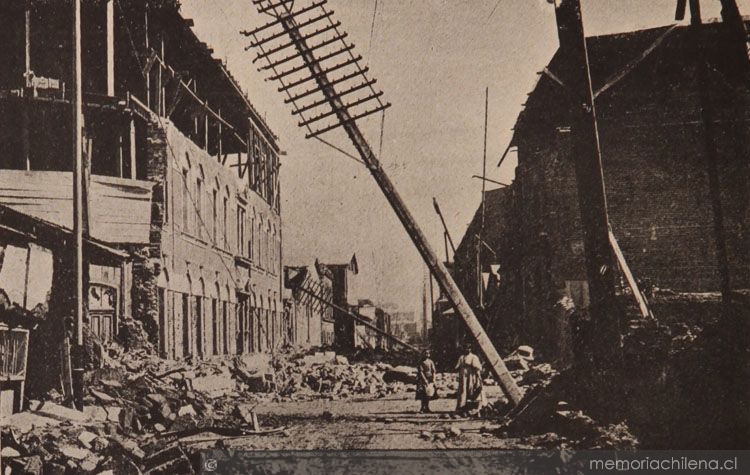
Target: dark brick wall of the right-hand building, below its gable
x,y
656,179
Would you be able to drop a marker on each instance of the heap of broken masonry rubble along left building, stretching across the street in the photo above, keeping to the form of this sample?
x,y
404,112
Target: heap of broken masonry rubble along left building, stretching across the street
x,y
138,407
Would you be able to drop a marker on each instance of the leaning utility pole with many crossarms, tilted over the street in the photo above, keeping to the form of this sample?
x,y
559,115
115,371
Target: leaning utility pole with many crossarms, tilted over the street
x,y
310,66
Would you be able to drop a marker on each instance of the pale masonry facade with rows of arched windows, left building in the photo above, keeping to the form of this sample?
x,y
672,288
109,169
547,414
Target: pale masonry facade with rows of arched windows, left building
x,y
193,254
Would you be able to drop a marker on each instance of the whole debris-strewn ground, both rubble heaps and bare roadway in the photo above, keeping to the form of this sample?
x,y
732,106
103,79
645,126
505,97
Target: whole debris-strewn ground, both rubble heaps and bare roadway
x,y
147,415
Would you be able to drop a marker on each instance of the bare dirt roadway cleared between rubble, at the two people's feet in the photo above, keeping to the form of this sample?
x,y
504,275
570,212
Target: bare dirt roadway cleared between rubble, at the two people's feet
x,y
362,423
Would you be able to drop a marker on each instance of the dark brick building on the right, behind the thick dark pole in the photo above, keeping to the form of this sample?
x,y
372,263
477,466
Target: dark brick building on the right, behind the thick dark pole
x,y
655,161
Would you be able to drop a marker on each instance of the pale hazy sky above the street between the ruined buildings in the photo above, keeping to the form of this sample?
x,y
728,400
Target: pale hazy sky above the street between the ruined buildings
x,y
433,59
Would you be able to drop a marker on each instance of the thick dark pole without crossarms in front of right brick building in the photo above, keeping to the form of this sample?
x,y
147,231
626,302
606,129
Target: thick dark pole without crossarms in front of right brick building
x,y
586,154
